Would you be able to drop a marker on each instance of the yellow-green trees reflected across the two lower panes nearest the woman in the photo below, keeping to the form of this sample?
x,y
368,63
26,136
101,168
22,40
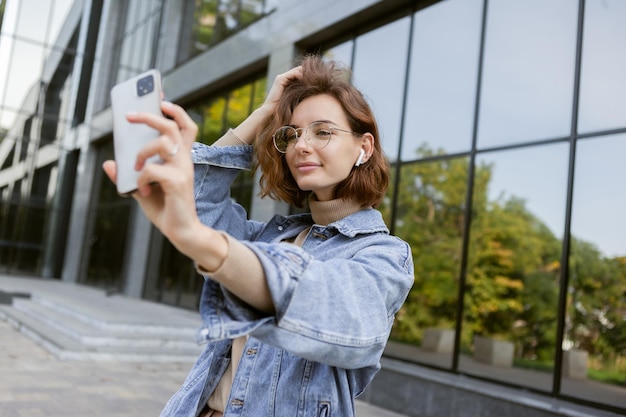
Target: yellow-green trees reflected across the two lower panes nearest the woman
x,y
513,260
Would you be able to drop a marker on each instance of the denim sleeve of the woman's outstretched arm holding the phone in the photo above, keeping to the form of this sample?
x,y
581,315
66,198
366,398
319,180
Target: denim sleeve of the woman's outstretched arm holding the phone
x,y
338,311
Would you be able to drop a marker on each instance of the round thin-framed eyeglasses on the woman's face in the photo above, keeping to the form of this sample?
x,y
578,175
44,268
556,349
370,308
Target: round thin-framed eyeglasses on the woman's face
x,y
318,134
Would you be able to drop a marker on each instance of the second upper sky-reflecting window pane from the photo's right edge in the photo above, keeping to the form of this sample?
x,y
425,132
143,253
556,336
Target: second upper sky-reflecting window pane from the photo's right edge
x,y
528,76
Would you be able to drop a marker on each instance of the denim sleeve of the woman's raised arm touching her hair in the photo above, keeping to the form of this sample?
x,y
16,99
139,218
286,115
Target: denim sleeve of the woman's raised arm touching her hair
x,y
215,169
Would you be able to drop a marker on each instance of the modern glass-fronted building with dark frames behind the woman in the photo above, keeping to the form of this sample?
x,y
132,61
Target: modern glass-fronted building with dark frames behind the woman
x,y
504,121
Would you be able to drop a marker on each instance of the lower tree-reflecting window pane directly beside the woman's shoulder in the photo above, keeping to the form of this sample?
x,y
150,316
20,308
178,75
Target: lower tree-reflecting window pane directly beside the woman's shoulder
x,y
430,217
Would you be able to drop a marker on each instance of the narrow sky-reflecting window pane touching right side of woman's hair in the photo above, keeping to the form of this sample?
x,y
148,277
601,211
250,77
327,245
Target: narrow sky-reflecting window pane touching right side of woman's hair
x,y
379,69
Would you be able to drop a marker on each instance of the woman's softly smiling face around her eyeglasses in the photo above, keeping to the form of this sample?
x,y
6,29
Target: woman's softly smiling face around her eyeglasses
x,y
320,170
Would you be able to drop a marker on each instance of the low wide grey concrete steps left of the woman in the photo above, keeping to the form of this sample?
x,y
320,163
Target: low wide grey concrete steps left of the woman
x,y
76,322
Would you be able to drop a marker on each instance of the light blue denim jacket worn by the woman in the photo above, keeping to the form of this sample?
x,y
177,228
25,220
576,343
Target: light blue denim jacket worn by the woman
x,y
335,299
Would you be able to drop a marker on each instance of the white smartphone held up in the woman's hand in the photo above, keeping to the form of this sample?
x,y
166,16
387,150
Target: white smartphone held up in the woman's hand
x,y
141,93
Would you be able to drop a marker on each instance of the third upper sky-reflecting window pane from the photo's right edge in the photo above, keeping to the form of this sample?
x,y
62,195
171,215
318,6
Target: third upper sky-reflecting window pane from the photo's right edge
x,y
442,79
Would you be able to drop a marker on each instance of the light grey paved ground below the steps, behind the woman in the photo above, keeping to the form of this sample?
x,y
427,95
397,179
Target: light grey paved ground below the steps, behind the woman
x,y
35,383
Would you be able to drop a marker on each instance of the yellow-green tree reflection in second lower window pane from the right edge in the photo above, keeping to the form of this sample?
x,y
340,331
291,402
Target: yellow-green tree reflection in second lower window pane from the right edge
x,y
512,278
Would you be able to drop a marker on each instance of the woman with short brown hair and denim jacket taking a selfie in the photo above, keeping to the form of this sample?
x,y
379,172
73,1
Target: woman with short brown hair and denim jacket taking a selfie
x,y
296,311
